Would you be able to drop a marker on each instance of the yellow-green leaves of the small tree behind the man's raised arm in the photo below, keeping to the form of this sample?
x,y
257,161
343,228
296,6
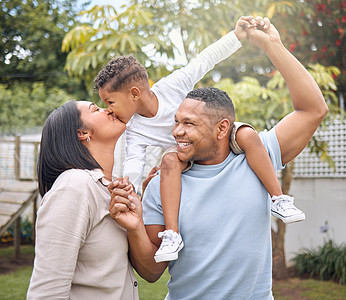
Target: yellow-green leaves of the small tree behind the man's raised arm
x,y
265,106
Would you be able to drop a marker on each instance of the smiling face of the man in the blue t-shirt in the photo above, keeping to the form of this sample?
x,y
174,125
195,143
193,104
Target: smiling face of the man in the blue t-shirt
x,y
196,133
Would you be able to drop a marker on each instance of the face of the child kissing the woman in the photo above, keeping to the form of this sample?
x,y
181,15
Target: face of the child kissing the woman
x,y
120,104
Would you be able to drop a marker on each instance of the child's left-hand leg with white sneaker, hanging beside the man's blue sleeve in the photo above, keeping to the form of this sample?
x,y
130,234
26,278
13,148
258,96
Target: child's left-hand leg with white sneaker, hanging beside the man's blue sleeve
x,y
170,189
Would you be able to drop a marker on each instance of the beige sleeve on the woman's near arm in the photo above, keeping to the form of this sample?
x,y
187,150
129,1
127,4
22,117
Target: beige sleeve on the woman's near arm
x,y
62,227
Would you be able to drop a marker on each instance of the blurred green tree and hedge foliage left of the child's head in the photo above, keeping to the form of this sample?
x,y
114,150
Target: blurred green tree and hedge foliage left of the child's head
x,y
32,76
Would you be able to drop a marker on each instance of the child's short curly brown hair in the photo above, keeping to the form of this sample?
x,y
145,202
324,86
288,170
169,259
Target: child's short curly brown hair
x,y
120,72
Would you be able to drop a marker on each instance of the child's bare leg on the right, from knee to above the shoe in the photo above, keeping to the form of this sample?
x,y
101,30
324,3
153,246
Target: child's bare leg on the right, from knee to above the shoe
x,y
258,159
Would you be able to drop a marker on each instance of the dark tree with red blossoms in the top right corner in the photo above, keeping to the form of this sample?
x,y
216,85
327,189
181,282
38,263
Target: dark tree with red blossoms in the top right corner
x,y
318,35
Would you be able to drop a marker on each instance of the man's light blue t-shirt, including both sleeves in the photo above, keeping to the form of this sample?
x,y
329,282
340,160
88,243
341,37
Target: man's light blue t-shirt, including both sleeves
x,y
224,220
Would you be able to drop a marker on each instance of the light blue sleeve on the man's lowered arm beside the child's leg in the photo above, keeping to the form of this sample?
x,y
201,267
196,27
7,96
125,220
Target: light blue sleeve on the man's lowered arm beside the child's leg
x,y
152,209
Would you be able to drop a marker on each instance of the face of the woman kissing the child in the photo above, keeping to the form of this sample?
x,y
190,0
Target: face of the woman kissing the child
x,y
105,126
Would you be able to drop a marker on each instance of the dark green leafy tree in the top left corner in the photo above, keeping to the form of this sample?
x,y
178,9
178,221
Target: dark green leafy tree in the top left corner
x,y
30,48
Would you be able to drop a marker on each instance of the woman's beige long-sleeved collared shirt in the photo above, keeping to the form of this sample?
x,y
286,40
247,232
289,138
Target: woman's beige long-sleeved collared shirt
x,y
81,252
